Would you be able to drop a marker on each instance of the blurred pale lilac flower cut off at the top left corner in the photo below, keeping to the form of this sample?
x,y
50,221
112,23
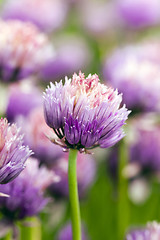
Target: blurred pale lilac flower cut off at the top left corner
x,y
47,15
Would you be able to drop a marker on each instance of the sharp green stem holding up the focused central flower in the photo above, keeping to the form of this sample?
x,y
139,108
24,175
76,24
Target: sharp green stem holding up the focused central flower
x,y
73,195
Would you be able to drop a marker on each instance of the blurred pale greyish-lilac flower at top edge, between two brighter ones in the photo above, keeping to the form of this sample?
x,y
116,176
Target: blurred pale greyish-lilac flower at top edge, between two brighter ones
x,y
98,17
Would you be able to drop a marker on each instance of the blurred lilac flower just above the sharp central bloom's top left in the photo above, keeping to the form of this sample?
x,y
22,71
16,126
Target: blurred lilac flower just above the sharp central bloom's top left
x,y
72,54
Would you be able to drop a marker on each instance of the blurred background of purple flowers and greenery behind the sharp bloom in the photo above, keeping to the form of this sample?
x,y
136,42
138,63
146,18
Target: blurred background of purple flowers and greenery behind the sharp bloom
x,y
119,40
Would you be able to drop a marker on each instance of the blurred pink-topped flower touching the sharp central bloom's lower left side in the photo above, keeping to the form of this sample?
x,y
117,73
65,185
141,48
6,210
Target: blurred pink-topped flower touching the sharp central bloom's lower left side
x,y
36,131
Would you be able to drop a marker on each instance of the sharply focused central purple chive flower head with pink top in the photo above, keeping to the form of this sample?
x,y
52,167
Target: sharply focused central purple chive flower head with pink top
x,y
84,113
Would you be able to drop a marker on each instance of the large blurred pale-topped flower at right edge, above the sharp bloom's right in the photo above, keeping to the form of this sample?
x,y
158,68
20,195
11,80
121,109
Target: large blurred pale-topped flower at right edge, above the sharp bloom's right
x,y
134,70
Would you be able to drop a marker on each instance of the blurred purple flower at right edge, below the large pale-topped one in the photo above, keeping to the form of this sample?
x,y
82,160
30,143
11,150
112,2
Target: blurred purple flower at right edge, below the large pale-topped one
x,y
143,139
